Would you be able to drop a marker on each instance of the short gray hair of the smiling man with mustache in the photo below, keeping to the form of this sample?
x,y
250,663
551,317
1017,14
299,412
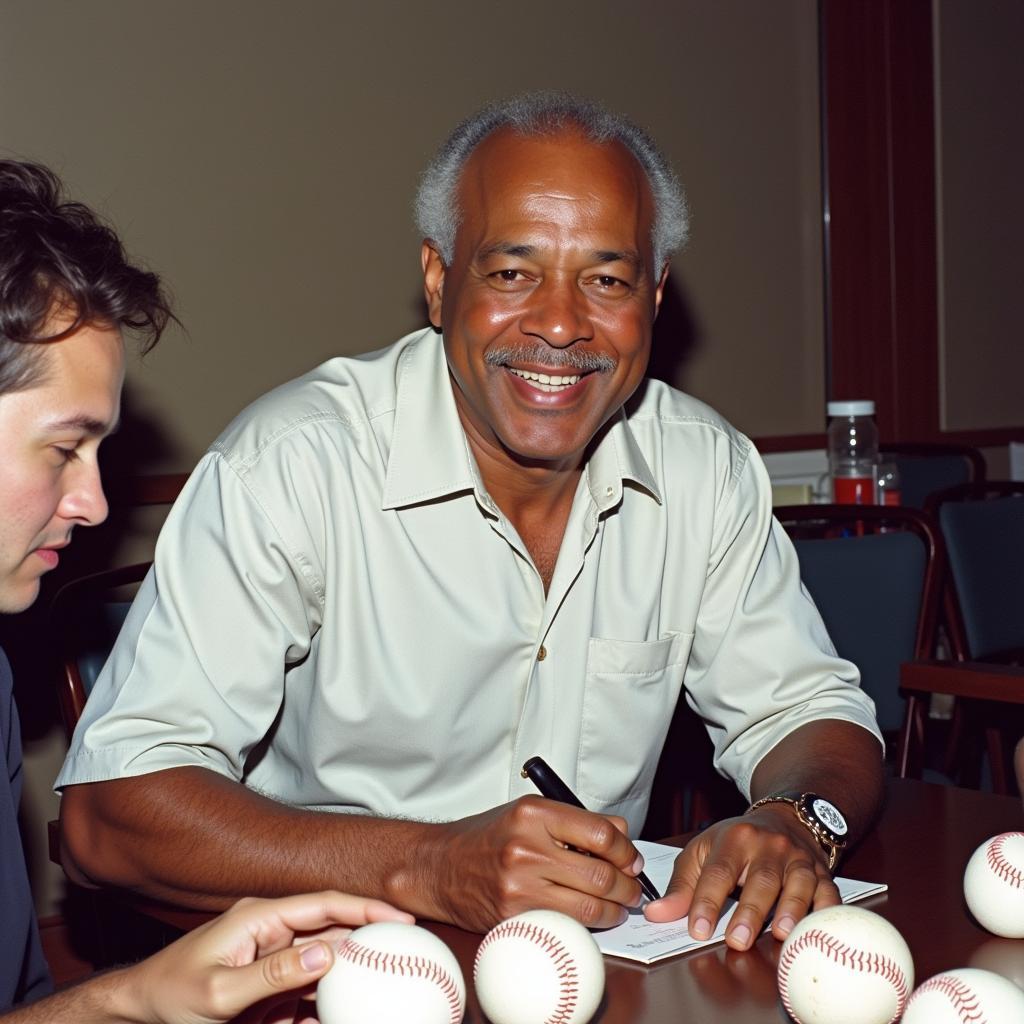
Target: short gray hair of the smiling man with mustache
x,y
534,114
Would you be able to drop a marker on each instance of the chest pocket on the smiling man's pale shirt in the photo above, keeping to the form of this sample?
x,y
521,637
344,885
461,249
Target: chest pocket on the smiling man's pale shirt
x,y
631,693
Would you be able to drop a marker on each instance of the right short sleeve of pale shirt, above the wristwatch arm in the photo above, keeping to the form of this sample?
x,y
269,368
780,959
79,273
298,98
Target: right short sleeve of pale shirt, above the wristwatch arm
x,y
762,664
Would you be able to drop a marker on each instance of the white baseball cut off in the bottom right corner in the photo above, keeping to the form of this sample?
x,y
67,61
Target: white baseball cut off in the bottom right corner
x,y
965,997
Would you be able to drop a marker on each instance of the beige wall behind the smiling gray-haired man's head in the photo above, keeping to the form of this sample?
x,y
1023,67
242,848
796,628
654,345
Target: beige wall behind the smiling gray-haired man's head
x,y
263,157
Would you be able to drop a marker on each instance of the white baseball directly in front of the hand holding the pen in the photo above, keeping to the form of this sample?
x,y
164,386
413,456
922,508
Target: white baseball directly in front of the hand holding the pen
x,y
539,968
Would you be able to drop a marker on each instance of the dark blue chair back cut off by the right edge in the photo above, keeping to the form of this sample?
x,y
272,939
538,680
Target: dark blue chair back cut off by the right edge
x,y
984,527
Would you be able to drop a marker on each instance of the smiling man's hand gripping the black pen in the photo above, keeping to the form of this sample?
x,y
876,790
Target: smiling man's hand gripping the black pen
x,y
531,855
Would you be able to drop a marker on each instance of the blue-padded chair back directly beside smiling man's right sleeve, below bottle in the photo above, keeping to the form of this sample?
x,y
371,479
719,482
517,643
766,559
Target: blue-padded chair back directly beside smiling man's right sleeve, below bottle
x,y
876,576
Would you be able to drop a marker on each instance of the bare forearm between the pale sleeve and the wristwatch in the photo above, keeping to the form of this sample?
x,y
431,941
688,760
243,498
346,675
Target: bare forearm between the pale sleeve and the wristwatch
x,y
841,761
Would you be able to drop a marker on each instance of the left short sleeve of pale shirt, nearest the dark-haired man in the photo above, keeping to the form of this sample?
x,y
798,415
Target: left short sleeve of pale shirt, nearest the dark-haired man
x,y
197,676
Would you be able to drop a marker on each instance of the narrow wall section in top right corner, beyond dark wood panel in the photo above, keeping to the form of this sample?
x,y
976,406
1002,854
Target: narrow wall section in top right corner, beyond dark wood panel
x,y
980,139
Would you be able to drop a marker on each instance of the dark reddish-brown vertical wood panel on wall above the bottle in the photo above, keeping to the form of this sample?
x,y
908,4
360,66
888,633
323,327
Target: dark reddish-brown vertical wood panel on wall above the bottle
x,y
878,134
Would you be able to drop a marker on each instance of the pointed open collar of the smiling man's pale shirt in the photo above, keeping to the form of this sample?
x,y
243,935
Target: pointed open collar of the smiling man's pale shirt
x,y
431,457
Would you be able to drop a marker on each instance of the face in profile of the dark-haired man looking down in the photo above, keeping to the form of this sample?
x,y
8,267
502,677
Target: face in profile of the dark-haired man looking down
x,y
50,440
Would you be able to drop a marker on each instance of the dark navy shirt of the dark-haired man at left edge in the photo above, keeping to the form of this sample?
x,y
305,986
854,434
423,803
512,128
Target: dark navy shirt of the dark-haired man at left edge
x,y
24,974
